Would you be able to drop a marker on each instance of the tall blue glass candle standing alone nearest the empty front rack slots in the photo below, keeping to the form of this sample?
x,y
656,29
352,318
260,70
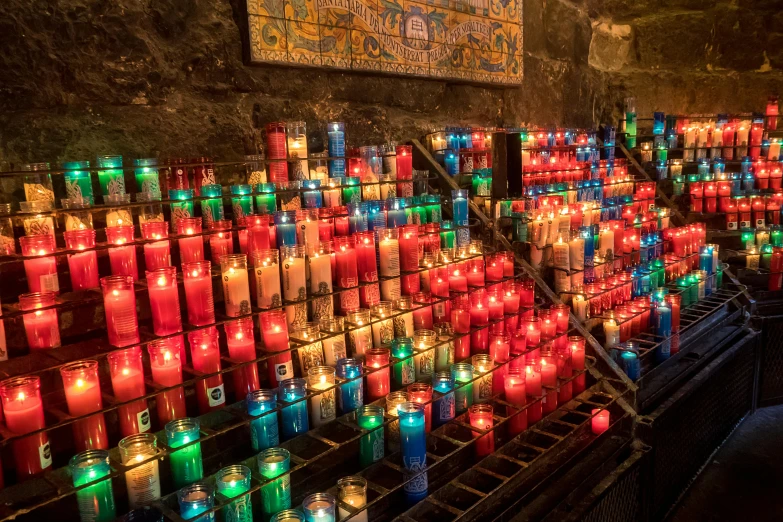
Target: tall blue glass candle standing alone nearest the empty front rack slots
x,y
413,446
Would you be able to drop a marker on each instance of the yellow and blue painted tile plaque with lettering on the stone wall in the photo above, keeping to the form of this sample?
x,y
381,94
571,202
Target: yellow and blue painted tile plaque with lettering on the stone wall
x,y
464,40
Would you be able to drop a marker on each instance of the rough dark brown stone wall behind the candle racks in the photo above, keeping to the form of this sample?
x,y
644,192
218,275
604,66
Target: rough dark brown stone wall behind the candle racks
x,y
140,77
